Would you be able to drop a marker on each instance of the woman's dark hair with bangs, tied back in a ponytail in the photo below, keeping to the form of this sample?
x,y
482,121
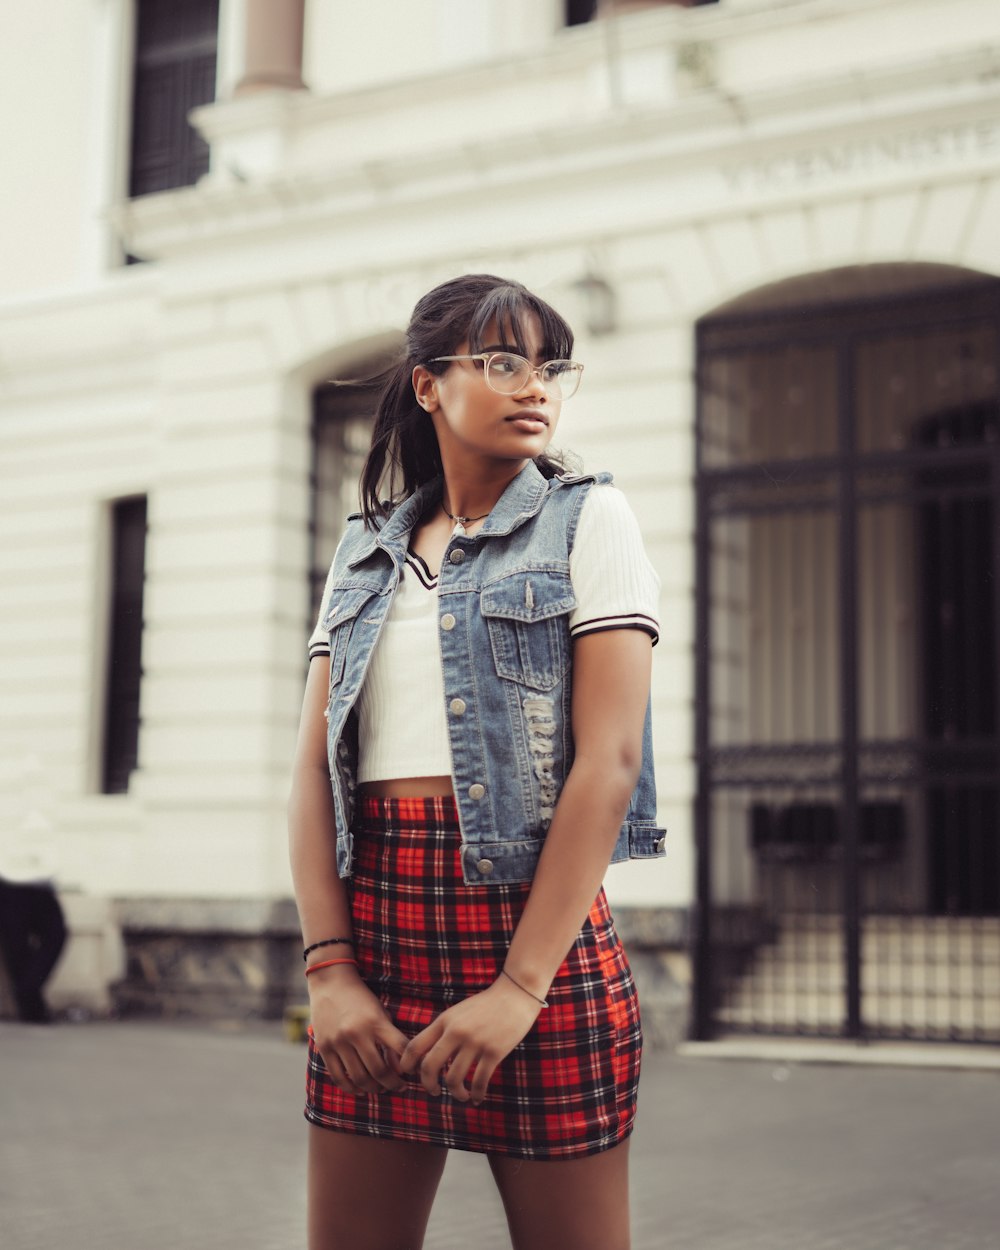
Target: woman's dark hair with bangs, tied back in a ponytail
x,y
404,446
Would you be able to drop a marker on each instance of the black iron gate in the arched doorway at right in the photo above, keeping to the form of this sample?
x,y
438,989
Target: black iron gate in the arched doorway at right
x,y
848,813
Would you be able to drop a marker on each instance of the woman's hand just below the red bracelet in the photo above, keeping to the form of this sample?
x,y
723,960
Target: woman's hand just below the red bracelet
x,y
359,1043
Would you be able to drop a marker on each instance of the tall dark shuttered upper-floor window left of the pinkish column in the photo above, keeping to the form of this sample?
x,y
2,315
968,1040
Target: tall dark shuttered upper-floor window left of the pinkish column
x,y
176,52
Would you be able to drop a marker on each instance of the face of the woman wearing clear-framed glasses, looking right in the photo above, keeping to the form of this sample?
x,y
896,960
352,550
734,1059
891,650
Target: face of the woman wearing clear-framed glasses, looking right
x,y
472,421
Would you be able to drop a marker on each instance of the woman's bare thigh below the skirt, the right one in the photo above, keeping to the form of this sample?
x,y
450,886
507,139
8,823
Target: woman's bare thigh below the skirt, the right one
x,y
581,1203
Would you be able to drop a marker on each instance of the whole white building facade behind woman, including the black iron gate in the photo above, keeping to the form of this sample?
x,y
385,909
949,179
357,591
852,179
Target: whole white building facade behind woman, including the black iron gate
x,y
692,187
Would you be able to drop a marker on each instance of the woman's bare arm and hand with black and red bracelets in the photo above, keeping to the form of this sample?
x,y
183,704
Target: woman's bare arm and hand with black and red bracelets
x,y
357,1039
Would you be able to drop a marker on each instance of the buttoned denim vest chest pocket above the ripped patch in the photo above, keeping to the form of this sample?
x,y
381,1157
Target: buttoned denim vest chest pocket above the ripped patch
x,y
528,618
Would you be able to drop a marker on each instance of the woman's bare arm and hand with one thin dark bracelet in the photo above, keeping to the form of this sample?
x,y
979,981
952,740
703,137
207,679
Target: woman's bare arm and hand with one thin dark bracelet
x,y
611,691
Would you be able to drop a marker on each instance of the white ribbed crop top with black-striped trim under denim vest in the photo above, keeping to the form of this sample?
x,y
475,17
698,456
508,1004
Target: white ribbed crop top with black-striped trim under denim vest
x,y
403,726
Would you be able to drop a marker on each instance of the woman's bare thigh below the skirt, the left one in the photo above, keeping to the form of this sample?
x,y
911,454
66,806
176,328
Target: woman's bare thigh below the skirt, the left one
x,y
368,1193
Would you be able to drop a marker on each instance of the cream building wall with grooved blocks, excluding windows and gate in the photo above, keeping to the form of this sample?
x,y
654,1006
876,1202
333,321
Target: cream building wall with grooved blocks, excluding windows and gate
x,y
683,157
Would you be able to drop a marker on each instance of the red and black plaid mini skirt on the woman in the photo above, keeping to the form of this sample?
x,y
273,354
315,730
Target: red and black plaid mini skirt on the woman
x,y
426,941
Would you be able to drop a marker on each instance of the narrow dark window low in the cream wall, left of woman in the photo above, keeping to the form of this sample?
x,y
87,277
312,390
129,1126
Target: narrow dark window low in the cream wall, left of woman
x,y
124,644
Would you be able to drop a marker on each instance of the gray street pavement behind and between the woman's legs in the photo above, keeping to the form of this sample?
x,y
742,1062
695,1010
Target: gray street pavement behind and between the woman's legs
x,y
128,1137
